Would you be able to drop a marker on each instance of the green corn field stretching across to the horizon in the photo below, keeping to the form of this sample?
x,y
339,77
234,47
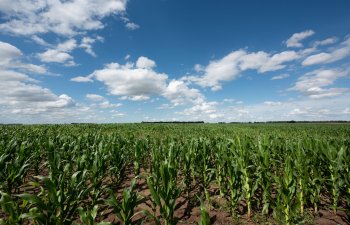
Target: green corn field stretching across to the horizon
x,y
175,174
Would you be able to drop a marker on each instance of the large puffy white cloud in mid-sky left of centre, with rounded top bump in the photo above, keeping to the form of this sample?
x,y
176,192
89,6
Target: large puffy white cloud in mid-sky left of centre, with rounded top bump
x,y
139,82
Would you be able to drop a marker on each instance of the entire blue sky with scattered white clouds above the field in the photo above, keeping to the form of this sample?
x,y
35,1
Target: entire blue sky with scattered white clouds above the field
x,y
131,61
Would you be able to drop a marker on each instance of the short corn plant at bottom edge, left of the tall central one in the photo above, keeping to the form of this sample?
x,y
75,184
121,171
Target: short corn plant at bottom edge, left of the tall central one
x,y
125,210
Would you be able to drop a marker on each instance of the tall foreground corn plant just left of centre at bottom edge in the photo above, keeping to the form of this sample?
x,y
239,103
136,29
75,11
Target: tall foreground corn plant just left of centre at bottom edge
x,y
164,192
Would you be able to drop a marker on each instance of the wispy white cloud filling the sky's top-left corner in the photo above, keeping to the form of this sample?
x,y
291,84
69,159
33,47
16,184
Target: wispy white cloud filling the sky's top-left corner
x,y
61,17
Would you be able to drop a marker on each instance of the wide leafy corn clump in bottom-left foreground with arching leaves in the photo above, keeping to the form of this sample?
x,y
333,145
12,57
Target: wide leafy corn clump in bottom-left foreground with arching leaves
x,y
55,204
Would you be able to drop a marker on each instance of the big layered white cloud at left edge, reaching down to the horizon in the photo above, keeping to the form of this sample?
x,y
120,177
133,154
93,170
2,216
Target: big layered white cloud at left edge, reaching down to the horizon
x,y
20,94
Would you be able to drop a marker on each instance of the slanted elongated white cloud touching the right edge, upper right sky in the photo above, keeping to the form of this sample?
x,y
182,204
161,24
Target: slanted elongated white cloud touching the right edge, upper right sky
x,y
322,58
